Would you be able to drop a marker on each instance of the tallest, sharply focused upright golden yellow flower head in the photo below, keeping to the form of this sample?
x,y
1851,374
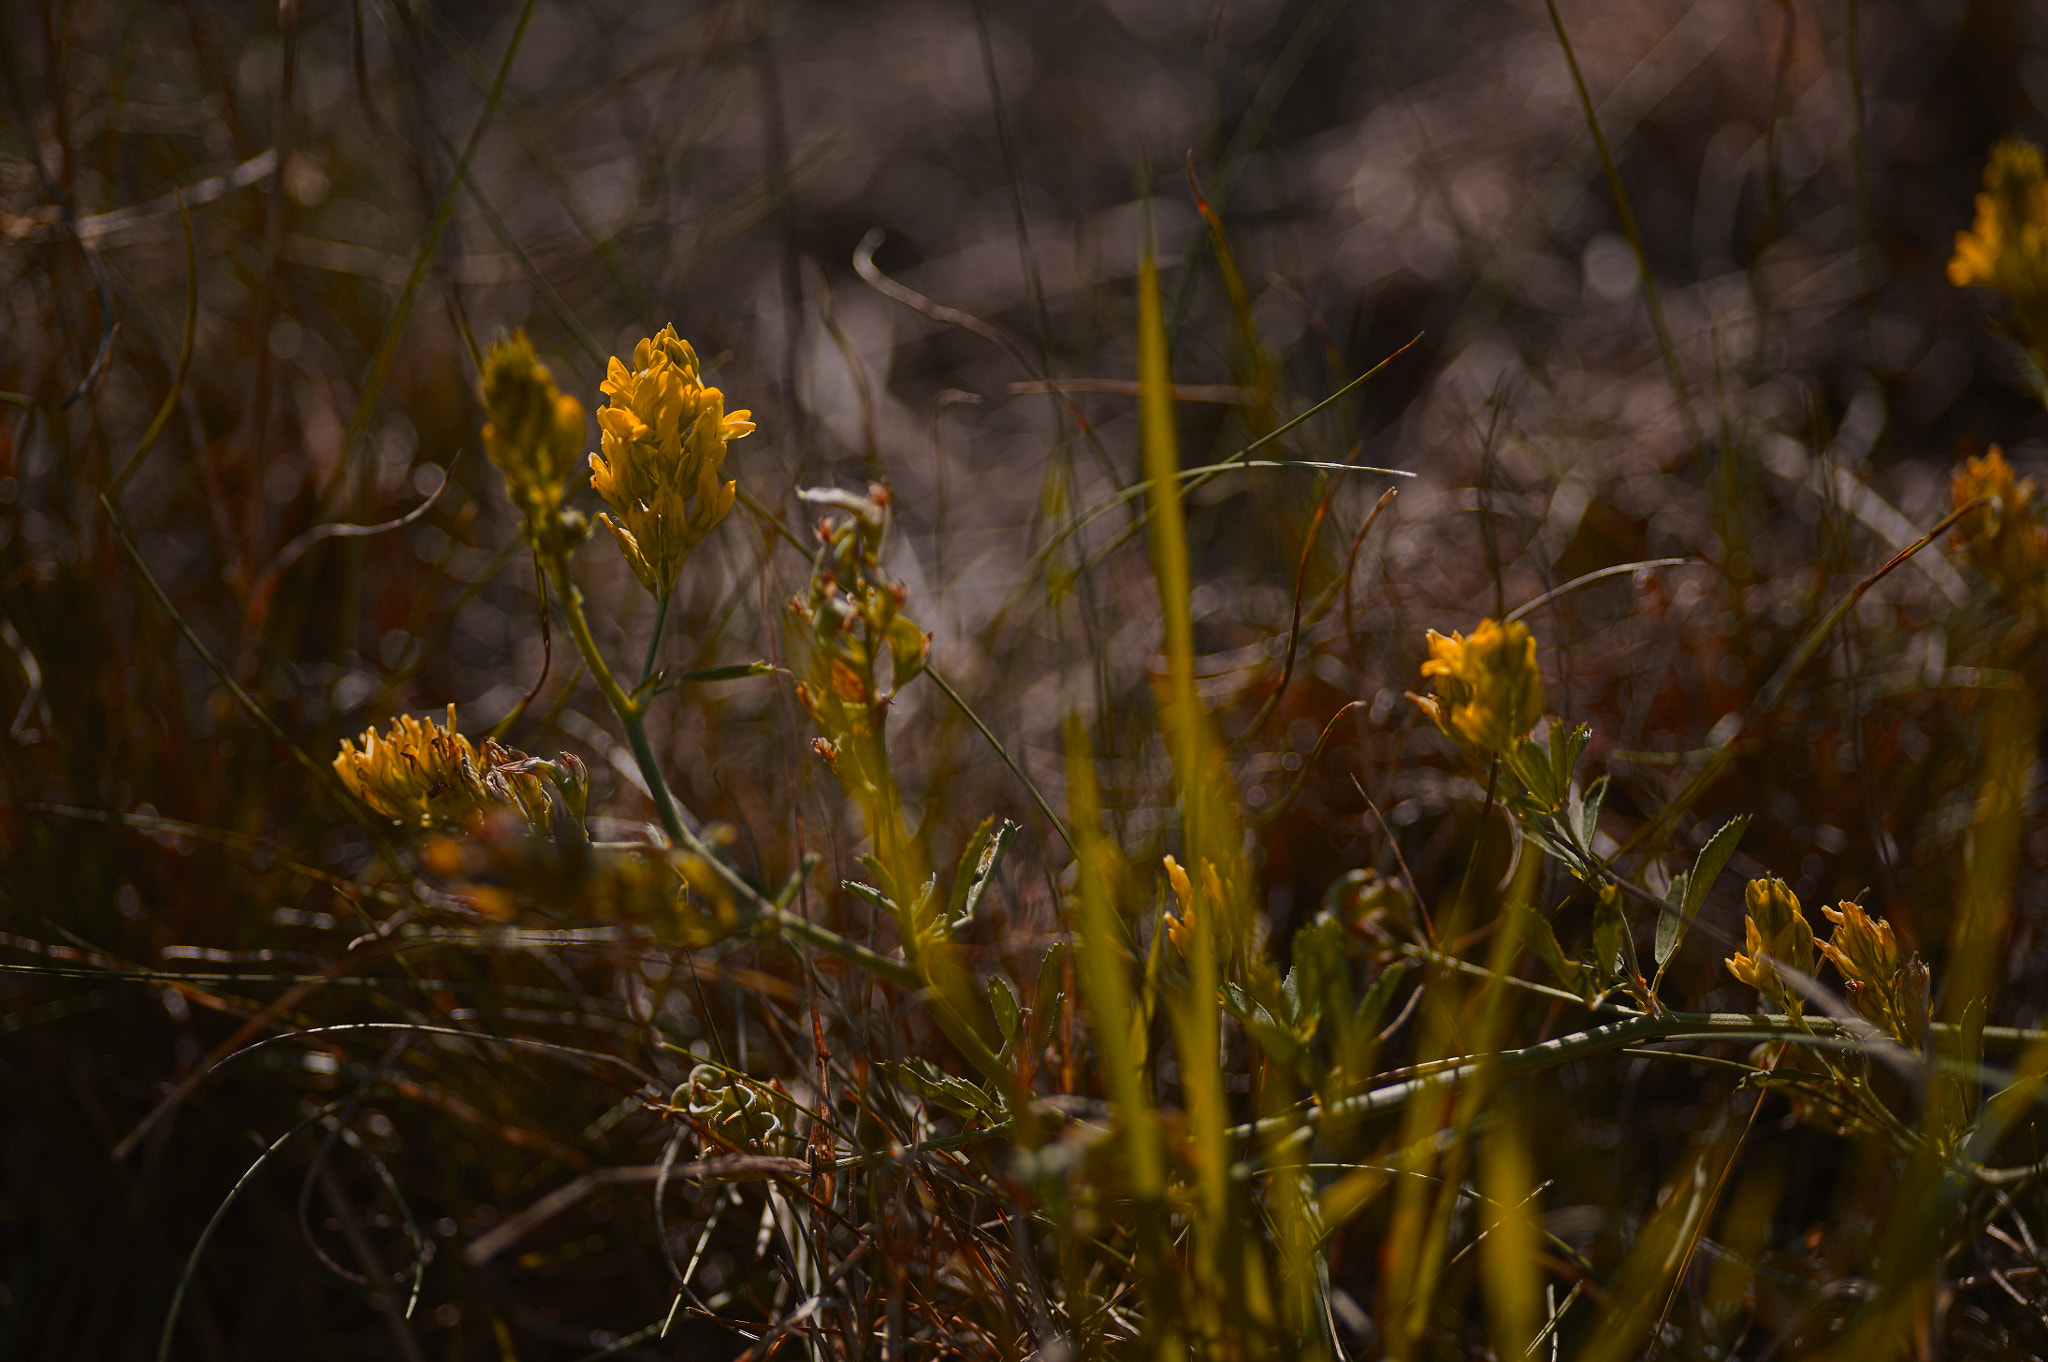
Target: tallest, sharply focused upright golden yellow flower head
x,y
663,456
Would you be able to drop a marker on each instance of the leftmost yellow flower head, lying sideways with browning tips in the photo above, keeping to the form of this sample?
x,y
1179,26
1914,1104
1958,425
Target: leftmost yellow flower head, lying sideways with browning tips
x,y
425,775
